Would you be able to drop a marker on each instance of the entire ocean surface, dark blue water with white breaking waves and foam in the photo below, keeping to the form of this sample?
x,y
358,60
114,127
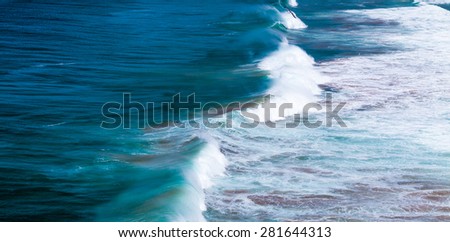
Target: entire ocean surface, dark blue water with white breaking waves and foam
x,y
387,60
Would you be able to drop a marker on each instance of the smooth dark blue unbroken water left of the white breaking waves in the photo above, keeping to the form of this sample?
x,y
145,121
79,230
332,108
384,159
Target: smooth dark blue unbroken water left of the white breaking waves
x,y
60,62
